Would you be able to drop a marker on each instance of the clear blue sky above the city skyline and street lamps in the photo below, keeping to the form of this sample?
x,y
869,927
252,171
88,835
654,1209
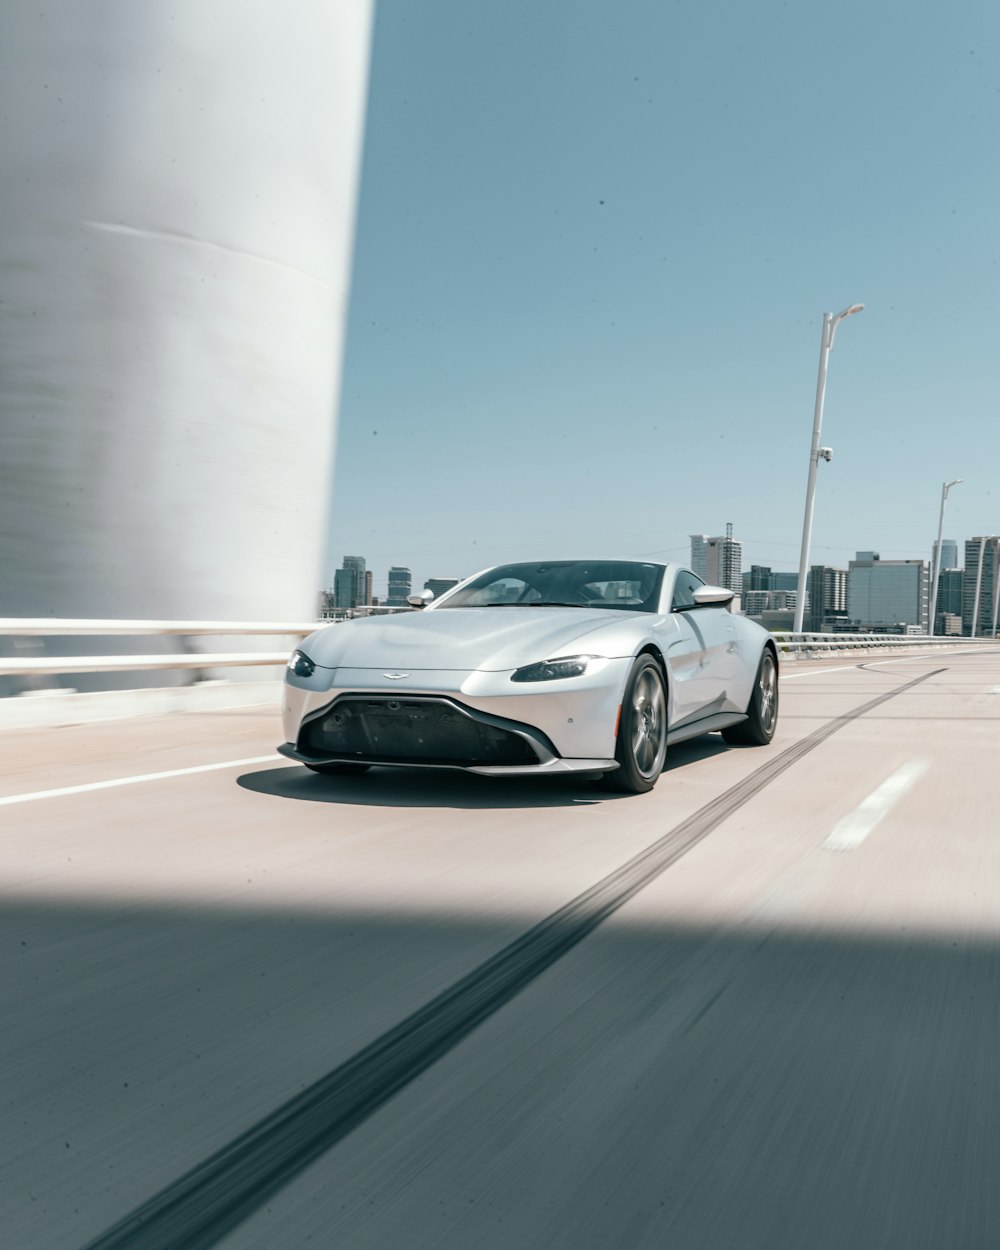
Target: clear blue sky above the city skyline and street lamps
x,y
596,242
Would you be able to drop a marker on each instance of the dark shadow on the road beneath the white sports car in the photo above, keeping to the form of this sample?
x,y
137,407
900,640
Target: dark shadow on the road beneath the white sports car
x,y
417,788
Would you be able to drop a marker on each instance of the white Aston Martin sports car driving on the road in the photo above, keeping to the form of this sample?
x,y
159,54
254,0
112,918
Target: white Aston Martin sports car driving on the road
x,y
551,667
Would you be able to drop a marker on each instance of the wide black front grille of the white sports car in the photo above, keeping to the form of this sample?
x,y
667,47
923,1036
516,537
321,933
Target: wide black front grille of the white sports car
x,y
411,732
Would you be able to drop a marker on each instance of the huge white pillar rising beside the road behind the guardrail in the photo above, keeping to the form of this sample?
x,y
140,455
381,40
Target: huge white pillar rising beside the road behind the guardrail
x,y
177,221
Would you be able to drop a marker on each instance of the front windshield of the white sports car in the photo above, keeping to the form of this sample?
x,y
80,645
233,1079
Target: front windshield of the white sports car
x,y
624,586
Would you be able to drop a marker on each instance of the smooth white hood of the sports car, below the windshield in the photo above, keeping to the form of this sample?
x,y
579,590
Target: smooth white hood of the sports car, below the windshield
x,y
492,639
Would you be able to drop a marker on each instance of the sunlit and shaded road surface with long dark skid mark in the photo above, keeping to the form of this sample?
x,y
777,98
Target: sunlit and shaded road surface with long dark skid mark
x,y
758,1008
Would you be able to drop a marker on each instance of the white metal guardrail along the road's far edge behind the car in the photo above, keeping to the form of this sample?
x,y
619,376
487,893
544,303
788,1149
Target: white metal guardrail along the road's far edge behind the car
x,y
49,666
